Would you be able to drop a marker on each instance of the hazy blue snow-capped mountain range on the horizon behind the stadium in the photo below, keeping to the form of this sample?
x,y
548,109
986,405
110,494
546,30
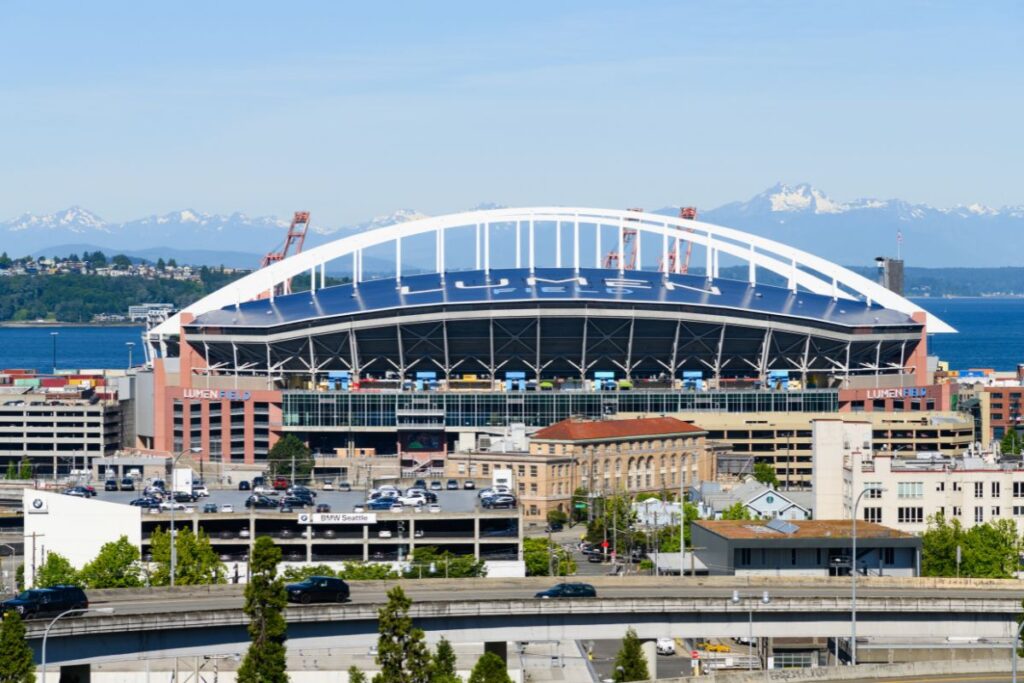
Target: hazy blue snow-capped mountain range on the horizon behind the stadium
x,y
852,233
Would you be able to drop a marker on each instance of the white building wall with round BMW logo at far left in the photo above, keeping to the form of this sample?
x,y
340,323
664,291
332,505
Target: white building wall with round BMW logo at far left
x,y
76,528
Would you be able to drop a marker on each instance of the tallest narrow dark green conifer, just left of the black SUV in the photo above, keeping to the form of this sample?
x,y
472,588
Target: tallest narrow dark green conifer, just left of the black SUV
x,y
266,661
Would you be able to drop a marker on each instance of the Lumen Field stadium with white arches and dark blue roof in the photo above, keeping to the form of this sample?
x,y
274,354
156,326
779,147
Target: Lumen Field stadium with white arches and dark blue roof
x,y
473,322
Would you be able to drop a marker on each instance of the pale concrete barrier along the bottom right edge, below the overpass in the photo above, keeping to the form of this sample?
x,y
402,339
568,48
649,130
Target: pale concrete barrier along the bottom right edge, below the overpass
x,y
871,671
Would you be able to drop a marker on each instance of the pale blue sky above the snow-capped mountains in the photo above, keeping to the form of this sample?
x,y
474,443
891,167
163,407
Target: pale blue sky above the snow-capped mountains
x,y
357,110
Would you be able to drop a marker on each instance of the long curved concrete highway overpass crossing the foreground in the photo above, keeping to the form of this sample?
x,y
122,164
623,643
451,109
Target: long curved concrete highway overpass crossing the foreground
x,y
191,622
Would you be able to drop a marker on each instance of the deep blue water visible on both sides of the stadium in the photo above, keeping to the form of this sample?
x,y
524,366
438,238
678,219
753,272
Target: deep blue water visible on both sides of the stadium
x,y
992,335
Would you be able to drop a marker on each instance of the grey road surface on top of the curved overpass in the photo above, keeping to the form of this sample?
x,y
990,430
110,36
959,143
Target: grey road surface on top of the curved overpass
x,y
520,589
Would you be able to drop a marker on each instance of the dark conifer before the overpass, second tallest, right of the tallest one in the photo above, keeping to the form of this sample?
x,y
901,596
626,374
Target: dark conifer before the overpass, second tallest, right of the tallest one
x,y
402,652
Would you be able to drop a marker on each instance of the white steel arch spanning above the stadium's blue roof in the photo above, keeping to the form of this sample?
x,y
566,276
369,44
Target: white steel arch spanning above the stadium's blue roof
x,y
799,268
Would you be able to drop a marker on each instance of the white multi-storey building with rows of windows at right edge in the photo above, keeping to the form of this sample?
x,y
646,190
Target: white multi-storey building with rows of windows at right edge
x,y
972,490
